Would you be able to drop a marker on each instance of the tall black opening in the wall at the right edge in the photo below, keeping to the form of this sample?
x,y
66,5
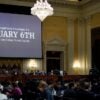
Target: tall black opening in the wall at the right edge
x,y
95,44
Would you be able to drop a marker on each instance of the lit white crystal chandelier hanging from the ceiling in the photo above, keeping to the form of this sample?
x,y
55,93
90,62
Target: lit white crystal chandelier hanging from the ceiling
x,y
42,9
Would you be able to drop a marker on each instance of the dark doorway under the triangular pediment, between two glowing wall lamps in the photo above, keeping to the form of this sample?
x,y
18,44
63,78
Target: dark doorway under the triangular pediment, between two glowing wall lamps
x,y
54,60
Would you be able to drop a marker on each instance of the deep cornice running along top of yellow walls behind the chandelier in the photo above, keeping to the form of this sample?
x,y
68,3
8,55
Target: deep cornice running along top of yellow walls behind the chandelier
x,y
63,8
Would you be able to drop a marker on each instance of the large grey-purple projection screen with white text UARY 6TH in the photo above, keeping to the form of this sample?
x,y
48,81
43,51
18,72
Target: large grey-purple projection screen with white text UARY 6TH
x,y
20,36
